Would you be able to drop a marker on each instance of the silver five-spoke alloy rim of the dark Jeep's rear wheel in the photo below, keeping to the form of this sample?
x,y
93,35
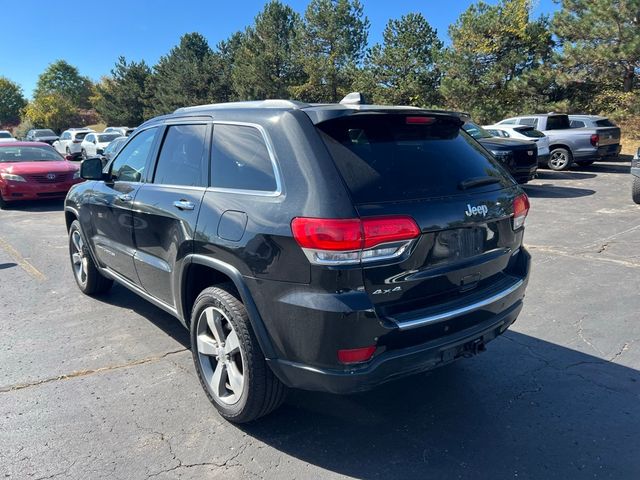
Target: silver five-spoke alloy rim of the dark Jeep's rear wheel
x,y
220,356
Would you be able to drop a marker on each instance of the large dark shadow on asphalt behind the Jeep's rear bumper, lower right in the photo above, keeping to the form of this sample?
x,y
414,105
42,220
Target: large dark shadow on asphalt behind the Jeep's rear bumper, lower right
x,y
525,409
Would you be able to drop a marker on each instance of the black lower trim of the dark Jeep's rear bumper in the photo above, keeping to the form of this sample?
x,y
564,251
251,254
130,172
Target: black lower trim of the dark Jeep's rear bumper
x,y
396,364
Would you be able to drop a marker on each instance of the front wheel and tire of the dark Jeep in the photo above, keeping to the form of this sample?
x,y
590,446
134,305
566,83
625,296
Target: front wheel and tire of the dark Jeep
x,y
89,279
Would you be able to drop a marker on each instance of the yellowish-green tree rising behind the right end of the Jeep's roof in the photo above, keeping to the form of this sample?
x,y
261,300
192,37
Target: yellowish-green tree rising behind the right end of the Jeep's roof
x,y
496,54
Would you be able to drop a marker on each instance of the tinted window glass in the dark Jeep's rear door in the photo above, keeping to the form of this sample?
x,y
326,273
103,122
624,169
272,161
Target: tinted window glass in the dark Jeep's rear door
x,y
181,160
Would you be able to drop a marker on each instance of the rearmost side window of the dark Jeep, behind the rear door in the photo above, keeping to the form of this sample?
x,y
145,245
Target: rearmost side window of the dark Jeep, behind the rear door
x,y
240,159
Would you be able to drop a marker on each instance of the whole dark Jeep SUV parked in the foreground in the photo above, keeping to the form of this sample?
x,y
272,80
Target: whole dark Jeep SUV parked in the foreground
x,y
323,247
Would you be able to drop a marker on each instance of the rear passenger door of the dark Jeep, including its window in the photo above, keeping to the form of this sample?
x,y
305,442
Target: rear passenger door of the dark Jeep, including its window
x,y
166,209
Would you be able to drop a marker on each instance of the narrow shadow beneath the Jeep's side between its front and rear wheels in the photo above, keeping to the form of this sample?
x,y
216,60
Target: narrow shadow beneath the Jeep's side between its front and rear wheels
x,y
122,297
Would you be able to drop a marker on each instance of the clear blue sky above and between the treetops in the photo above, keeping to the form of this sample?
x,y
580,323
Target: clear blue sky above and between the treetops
x,y
91,36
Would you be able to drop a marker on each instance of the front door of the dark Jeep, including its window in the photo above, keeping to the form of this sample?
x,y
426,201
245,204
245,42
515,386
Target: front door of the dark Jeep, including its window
x,y
112,202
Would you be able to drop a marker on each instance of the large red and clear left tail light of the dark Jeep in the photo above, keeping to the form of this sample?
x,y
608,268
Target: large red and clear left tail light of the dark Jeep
x,y
352,241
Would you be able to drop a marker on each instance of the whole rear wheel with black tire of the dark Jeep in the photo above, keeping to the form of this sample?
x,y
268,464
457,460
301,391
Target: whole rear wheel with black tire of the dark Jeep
x,y
228,359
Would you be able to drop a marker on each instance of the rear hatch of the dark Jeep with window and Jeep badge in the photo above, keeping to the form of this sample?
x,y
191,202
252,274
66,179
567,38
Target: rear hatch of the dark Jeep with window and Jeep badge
x,y
423,165
